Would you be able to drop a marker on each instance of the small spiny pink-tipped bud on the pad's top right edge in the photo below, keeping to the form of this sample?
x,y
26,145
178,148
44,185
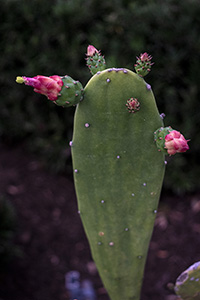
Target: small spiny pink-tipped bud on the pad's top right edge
x,y
143,64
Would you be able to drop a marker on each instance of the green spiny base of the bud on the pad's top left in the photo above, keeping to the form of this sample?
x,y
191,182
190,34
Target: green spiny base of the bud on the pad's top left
x,y
96,63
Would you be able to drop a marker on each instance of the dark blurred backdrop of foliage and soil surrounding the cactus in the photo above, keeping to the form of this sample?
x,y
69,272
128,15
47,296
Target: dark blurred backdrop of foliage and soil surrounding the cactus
x,y
51,37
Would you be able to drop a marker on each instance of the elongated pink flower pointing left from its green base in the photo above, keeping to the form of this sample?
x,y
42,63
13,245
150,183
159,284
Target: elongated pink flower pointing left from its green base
x,y
48,86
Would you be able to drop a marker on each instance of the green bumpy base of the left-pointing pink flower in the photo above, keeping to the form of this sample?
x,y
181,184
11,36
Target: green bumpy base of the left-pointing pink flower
x,y
71,93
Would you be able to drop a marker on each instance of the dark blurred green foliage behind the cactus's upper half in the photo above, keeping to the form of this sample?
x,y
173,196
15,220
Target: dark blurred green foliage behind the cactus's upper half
x,y
51,37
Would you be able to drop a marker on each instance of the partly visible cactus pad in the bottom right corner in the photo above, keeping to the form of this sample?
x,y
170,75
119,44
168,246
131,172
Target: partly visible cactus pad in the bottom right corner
x,y
187,285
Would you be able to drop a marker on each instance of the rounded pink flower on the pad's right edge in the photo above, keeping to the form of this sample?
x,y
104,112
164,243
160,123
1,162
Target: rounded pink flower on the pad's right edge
x,y
175,142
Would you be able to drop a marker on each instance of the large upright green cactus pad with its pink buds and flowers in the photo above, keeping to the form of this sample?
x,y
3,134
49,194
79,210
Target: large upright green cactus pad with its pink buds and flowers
x,y
119,167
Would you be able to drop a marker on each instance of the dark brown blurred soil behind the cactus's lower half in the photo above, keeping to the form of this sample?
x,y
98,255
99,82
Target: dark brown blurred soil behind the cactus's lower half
x,y
52,242
